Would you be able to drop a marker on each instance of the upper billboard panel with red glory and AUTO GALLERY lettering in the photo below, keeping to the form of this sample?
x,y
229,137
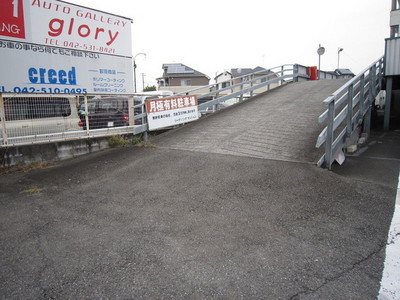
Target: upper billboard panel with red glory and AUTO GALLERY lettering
x,y
60,24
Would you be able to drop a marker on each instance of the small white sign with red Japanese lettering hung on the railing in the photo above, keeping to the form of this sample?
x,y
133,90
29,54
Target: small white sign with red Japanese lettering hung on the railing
x,y
168,112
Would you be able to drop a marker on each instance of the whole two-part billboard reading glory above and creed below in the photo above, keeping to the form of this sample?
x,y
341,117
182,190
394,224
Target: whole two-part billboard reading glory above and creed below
x,y
56,47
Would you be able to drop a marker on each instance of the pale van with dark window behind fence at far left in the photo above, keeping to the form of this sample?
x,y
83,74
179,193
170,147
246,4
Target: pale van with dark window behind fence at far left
x,y
28,115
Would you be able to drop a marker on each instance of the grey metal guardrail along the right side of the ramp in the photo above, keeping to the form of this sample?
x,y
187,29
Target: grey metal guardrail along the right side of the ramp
x,y
349,113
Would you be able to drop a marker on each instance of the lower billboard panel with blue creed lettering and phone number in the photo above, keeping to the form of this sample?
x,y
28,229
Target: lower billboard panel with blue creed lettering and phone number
x,y
42,69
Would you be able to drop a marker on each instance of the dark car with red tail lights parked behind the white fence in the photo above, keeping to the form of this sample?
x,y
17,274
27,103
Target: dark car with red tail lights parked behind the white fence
x,y
105,112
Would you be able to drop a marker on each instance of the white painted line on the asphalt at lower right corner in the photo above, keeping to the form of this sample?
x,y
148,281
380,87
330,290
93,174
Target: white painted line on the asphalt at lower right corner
x,y
390,283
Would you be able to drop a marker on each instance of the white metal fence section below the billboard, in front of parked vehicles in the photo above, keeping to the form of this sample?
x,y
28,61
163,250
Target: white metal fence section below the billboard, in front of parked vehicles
x,y
43,118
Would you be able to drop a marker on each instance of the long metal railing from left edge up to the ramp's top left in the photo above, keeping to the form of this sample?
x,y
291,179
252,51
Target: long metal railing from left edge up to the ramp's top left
x,y
40,118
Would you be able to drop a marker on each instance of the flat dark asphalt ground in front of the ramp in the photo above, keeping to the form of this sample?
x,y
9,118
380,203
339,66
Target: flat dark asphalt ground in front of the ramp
x,y
156,223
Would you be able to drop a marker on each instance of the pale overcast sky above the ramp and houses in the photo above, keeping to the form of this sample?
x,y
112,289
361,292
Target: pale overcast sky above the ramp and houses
x,y
216,35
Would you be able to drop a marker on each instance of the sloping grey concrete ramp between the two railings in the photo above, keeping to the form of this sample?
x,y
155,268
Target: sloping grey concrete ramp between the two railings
x,y
281,124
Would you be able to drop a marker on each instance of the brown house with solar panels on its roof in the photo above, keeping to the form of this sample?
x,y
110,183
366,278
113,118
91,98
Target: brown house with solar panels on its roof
x,y
179,78
